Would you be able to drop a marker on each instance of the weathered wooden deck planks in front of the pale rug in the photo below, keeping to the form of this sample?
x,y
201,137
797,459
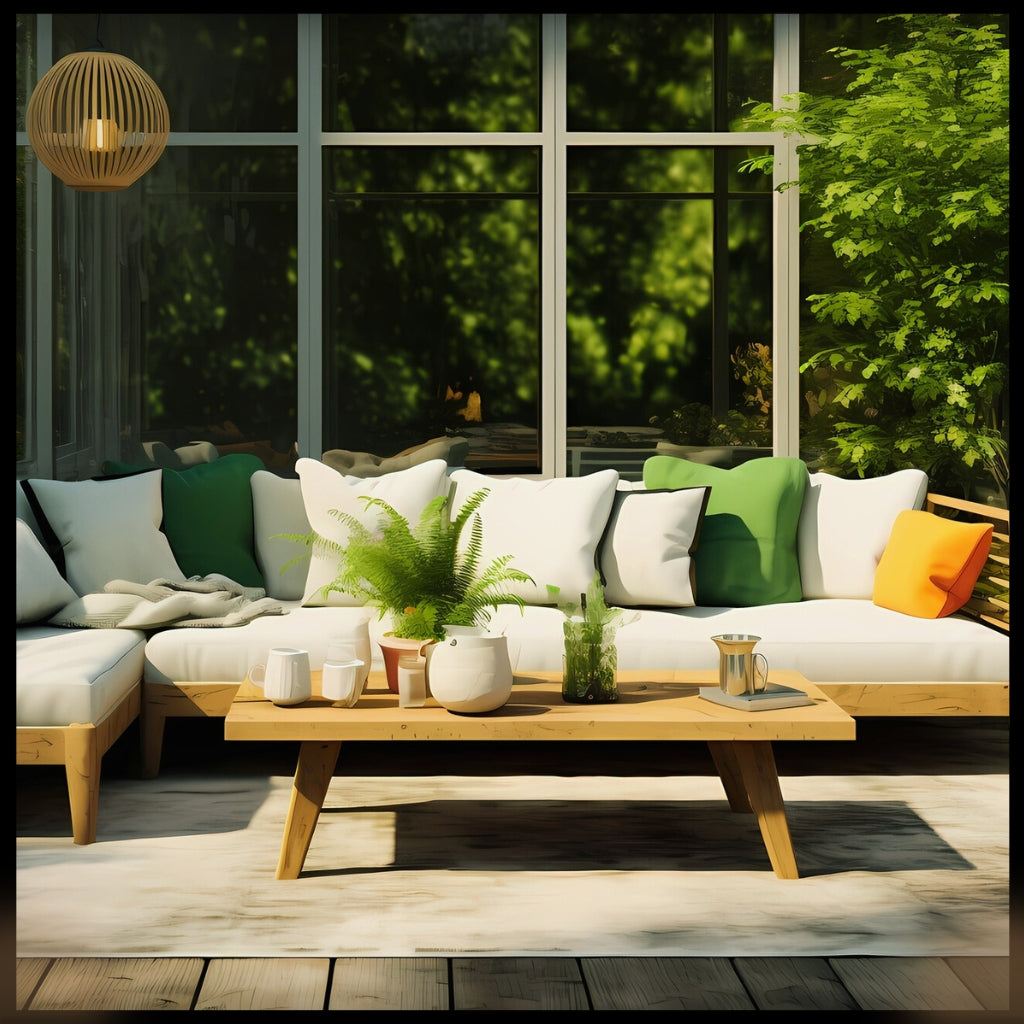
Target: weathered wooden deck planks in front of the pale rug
x,y
962,985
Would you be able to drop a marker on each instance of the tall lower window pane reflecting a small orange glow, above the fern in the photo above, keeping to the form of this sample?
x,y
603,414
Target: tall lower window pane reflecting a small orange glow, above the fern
x,y
433,302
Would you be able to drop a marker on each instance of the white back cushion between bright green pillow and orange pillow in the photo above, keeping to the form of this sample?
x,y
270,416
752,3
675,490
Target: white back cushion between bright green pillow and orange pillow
x,y
845,526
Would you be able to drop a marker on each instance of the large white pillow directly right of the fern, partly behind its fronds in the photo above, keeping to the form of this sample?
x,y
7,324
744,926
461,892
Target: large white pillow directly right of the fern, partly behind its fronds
x,y
550,528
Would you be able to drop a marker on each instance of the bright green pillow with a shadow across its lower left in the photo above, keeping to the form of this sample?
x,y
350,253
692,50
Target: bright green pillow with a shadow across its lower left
x,y
748,550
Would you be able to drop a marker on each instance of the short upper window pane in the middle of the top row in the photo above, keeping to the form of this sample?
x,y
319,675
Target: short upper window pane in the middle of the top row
x,y
432,73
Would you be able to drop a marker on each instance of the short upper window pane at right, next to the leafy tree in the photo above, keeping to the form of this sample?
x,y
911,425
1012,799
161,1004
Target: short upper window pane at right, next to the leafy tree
x,y
658,72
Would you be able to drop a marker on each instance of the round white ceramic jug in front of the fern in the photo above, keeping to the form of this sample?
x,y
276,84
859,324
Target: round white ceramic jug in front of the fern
x,y
471,674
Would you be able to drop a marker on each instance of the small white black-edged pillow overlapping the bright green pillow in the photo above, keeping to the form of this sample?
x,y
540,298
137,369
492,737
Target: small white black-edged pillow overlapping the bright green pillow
x,y
648,550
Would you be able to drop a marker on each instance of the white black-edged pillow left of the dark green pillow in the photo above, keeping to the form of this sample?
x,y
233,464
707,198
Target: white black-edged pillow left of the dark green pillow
x,y
109,530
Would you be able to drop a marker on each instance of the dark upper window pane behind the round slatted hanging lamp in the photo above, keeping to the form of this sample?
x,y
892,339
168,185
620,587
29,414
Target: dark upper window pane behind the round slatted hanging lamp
x,y
218,72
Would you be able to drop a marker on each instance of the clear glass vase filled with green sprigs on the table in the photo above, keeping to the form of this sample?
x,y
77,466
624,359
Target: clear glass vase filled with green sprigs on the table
x,y
590,659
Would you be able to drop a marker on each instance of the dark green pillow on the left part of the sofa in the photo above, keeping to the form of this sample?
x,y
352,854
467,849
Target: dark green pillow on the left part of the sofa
x,y
208,517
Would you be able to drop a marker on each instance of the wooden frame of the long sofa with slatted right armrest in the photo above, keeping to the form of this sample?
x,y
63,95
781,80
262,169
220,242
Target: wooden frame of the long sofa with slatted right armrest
x,y
991,606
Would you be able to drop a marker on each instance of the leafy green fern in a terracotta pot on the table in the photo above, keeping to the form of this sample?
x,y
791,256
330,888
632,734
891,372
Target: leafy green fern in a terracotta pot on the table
x,y
428,577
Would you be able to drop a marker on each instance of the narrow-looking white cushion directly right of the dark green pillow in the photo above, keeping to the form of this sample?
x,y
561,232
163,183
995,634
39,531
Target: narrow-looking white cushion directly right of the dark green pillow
x,y
278,509
